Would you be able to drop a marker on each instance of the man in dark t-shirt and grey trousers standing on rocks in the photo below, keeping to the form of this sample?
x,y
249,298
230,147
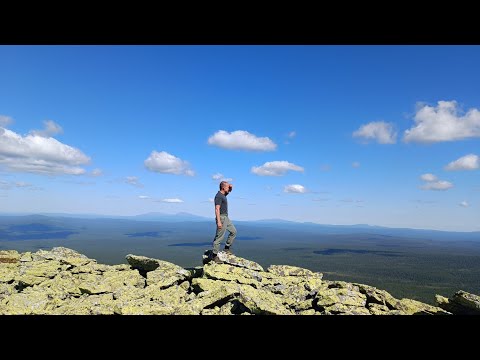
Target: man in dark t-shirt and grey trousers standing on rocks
x,y
223,222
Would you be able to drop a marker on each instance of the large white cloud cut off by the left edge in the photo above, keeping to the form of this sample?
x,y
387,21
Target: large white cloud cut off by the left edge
x,y
40,155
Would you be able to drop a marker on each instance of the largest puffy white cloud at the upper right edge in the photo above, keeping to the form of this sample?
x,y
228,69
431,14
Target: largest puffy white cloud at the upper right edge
x,y
443,123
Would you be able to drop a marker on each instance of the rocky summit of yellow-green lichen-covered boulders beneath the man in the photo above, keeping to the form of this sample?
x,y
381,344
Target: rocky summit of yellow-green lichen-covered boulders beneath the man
x,y
64,282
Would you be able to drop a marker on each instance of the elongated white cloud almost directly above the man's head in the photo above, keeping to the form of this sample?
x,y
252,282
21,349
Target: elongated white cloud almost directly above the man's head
x,y
241,140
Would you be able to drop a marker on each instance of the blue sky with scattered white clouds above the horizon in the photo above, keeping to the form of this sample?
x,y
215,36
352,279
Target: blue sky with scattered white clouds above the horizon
x,y
379,135
